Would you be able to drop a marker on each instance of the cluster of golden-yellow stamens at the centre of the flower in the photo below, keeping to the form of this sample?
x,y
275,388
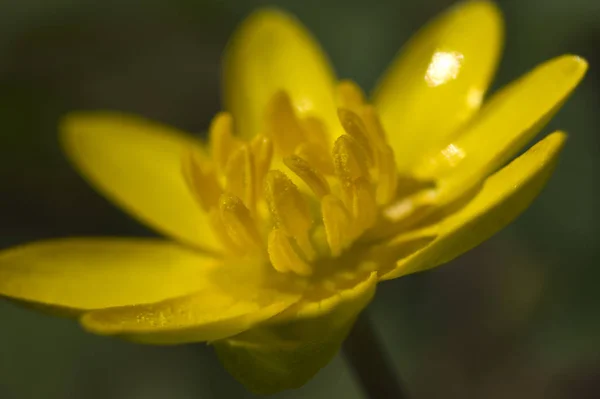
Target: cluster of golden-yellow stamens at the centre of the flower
x,y
290,196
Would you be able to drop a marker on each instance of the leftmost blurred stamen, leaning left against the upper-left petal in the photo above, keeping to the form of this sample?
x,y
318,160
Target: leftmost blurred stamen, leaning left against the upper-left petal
x,y
201,180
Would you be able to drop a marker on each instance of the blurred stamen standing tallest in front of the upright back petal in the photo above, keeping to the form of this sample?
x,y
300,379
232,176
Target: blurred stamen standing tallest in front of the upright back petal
x,y
282,124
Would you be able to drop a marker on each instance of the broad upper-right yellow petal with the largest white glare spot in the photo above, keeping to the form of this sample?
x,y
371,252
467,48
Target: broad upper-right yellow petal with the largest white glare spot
x,y
439,79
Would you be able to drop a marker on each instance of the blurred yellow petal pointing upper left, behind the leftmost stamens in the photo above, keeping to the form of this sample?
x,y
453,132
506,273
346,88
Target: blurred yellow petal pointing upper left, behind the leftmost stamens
x,y
138,164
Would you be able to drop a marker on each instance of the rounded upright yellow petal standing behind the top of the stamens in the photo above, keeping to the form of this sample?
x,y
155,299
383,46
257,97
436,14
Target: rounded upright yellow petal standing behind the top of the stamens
x,y
272,51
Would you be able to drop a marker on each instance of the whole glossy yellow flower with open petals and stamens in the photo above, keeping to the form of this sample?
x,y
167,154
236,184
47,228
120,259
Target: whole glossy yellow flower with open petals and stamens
x,y
304,197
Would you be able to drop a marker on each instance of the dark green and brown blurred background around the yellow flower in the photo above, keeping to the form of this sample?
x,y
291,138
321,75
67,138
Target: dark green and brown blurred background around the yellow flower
x,y
516,318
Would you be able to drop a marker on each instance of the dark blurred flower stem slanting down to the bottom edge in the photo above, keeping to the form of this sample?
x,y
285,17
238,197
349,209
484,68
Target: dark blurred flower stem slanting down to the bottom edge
x,y
369,362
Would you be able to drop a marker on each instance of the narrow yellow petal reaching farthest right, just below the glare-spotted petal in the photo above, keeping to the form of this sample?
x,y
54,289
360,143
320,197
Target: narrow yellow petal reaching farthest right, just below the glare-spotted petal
x,y
506,123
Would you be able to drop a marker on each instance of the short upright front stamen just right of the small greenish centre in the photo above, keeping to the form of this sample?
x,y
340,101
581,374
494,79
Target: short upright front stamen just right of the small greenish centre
x,y
337,222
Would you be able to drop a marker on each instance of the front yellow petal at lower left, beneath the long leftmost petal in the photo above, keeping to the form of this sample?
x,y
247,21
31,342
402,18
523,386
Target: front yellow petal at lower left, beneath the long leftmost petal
x,y
237,298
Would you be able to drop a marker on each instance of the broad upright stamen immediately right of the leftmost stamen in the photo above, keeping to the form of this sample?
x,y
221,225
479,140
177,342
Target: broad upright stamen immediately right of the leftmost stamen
x,y
240,177
